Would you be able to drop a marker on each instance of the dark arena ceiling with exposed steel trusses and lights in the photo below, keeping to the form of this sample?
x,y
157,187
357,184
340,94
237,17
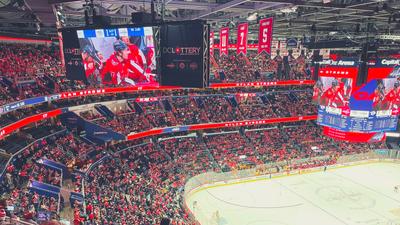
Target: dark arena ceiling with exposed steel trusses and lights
x,y
330,18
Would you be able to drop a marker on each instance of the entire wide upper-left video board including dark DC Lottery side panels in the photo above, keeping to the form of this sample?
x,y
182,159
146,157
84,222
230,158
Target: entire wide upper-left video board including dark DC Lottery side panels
x,y
128,55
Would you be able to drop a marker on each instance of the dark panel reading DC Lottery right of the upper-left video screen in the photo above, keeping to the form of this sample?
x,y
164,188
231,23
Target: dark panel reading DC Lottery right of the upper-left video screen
x,y
183,50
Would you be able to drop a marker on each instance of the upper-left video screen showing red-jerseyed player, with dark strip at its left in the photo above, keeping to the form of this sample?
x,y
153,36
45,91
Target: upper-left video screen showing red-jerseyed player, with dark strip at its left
x,y
123,56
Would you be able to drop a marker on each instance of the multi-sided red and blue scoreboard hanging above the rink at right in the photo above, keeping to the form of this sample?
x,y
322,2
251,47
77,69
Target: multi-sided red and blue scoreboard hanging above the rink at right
x,y
371,107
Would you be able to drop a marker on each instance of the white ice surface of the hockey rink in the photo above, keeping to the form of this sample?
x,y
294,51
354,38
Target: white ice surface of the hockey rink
x,y
356,195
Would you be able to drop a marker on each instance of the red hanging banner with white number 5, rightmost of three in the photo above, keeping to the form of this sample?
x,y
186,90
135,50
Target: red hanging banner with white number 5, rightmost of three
x,y
265,35
